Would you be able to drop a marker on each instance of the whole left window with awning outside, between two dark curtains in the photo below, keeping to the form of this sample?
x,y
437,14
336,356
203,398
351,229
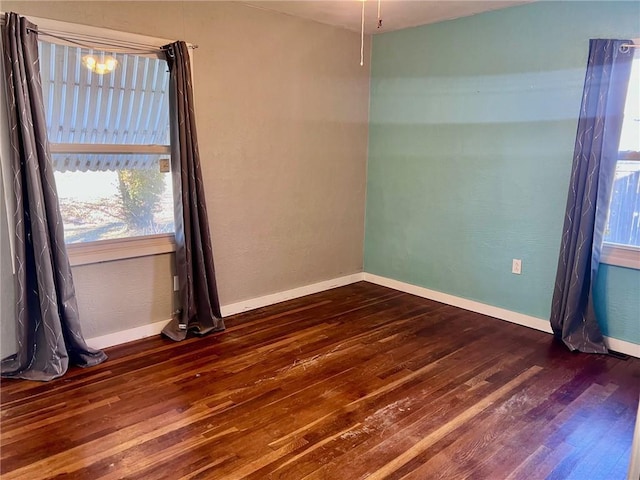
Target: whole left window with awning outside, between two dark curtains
x,y
107,116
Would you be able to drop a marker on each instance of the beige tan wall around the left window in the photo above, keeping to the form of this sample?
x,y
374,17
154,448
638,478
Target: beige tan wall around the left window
x,y
282,109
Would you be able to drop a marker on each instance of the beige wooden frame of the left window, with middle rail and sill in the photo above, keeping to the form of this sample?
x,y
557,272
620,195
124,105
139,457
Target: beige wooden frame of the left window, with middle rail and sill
x,y
122,248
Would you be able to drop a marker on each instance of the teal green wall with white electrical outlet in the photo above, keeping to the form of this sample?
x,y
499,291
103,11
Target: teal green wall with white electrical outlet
x,y
471,135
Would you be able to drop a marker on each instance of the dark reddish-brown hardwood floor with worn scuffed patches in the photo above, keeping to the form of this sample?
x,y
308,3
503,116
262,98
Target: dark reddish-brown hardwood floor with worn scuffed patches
x,y
357,382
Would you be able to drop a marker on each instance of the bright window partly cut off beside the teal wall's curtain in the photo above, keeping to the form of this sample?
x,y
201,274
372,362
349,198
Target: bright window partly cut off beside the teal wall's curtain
x,y
622,233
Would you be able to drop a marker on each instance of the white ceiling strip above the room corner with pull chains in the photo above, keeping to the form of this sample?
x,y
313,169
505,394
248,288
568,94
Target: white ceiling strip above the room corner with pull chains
x,y
396,14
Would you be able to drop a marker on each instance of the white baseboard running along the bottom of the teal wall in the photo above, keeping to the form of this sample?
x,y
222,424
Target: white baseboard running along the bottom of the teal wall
x,y
543,325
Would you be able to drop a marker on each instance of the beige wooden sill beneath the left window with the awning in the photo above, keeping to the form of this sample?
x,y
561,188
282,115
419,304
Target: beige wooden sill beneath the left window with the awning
x,y
120,249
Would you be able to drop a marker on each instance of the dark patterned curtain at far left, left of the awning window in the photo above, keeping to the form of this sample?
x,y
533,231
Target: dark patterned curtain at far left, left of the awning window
x,y
48,327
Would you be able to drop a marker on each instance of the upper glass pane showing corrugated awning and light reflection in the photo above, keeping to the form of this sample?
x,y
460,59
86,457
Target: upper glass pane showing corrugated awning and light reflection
x,y
127,105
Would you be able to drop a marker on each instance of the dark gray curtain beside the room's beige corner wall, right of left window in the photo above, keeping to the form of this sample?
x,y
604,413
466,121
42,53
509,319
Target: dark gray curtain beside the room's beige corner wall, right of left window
x,y
200,312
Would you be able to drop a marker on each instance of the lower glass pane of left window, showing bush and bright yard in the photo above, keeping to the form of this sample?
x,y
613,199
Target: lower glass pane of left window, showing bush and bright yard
x,y
115,203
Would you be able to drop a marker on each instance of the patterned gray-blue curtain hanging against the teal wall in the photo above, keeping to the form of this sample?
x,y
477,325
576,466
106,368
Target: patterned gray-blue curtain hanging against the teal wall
x,y
573,317
